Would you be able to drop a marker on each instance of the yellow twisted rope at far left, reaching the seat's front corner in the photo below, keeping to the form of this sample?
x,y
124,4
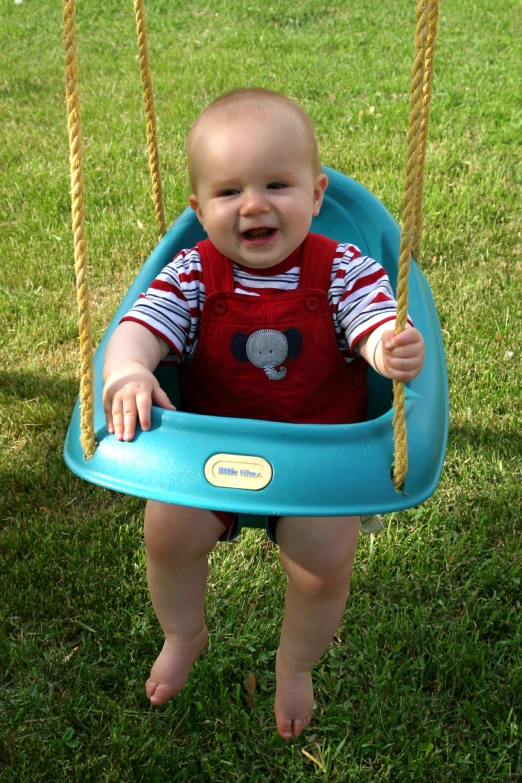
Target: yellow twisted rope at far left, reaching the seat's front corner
x,y
87,437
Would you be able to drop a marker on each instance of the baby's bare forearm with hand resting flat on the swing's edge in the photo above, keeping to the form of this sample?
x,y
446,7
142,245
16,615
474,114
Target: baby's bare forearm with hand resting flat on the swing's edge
x,y
133,353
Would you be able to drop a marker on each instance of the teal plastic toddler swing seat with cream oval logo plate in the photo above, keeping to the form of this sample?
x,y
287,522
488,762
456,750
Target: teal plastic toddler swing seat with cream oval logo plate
x,y
272,468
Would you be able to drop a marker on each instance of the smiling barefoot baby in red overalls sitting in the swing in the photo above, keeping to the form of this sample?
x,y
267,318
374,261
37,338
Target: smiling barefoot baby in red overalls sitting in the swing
x,y
256,184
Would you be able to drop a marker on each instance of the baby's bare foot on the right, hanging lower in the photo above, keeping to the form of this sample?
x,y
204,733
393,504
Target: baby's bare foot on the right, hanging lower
x,y
294,699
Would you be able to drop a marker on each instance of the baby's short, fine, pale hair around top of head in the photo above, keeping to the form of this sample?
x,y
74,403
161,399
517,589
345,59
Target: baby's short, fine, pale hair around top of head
x,y
243,101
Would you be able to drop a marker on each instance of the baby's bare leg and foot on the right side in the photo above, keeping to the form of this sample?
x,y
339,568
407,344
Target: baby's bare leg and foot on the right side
x,y
317,554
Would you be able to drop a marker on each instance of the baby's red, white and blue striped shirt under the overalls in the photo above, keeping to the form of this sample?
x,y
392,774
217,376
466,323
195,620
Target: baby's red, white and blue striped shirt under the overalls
x,y
360,297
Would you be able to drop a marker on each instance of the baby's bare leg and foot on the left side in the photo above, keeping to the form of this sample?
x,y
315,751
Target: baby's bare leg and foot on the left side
x,y
177,540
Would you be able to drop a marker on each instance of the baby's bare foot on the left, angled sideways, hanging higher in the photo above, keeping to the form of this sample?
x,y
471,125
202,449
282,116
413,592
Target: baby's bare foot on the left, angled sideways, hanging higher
x,y
172,667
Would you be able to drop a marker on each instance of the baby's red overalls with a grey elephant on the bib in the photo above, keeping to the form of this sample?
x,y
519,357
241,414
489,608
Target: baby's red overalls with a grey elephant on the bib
x,y
273,356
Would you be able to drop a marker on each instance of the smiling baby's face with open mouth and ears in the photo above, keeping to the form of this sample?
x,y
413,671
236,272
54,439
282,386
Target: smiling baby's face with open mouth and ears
x,y
257,189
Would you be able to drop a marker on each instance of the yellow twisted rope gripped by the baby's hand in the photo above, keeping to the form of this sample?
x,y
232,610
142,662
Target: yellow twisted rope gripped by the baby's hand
x,y
408,230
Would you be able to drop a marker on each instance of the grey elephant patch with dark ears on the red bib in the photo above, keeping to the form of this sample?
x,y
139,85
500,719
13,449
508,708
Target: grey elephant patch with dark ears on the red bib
x,y
268,349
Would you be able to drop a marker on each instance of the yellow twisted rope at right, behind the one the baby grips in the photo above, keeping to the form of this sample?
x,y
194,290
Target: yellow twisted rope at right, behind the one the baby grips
x,y
426,102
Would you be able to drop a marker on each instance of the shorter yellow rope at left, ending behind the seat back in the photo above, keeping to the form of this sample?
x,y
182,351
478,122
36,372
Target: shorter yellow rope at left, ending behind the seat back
x,y
150,116
